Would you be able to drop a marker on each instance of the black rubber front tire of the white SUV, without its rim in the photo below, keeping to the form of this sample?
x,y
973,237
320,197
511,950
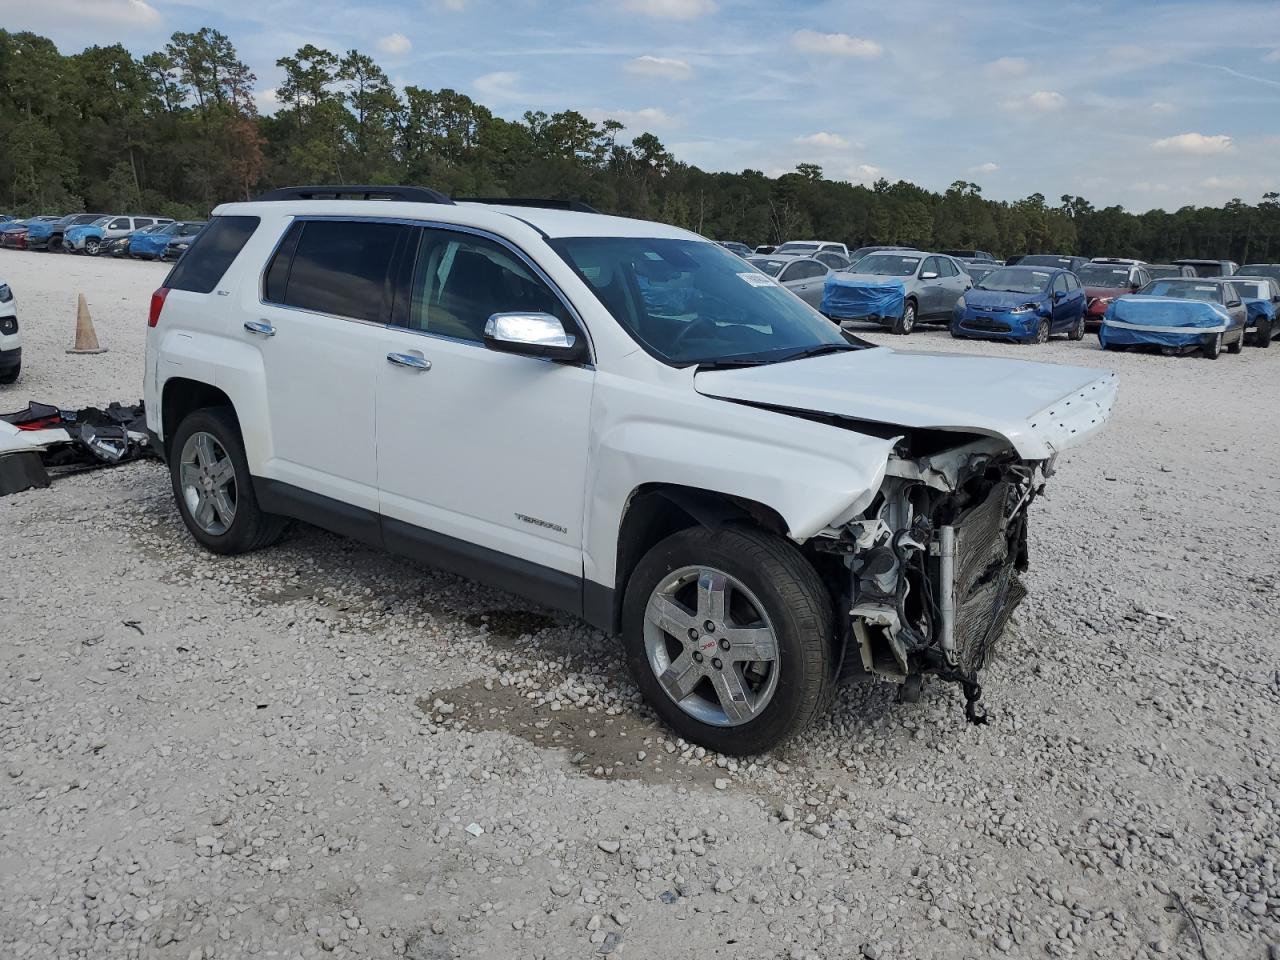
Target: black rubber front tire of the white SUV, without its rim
x,y
796,602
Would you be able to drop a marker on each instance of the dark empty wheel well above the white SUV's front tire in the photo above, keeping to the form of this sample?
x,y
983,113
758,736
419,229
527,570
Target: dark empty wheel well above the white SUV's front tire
x,y
657,511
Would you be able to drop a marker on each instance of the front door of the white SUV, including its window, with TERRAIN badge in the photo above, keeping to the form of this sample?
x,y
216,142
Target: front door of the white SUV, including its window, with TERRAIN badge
x,y
482,456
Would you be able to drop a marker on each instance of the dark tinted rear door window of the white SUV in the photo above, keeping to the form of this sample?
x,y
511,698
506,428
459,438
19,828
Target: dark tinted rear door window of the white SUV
x,y
337,267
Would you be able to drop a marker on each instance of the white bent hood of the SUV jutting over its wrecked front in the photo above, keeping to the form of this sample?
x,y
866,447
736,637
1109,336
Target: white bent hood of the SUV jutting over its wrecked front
x,y
1040,409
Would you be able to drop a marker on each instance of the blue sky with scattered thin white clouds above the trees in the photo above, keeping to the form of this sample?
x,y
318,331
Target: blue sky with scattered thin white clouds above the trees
x,y
1139,103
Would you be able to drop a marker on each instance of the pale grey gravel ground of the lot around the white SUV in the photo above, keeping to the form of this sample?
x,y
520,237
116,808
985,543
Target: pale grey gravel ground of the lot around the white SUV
x,y
319,751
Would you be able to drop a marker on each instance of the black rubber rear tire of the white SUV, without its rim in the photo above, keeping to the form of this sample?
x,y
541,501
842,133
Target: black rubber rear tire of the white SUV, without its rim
x,y
253,529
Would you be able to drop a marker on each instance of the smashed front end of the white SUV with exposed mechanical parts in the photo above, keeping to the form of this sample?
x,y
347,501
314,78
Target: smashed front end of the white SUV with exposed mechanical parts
x,y
932,566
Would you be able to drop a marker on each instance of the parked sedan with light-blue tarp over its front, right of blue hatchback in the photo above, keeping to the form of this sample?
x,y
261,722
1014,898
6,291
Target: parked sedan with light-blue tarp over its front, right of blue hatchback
x,y
1177,314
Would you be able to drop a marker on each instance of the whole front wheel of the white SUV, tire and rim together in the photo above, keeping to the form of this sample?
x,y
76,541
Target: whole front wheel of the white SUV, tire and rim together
x,y
728,633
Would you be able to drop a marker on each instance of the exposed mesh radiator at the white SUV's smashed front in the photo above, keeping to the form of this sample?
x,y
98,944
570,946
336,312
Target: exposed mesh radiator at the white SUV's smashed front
x,y
988,587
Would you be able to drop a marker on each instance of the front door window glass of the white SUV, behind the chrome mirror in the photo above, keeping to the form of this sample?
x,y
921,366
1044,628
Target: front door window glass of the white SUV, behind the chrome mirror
x,y
461,281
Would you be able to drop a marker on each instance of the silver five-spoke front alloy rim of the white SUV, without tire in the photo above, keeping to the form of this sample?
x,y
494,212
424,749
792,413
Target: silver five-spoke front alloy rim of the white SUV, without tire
x,y
711,646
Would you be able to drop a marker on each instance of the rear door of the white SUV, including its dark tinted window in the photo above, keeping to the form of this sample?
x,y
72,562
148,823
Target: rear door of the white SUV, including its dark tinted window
x,y
321,333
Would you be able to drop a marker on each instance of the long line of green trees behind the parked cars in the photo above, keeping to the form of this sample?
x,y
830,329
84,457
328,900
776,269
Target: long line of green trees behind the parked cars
x,y
179,132
